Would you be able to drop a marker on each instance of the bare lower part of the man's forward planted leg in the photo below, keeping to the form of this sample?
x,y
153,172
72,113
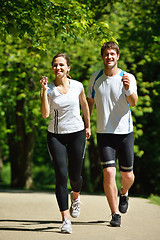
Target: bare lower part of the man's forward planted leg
x,y
110,188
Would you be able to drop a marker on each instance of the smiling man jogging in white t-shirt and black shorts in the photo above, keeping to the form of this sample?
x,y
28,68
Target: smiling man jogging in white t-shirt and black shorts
x,y
113,90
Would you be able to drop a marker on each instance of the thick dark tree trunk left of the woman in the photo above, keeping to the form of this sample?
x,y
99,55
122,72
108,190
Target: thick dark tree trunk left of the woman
x,y
21,145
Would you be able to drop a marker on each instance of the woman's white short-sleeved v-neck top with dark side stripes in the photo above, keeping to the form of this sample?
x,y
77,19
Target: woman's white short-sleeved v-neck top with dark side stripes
x,y
65,109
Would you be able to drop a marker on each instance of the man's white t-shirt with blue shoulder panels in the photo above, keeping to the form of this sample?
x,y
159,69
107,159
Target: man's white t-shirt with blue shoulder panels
x,y
113,111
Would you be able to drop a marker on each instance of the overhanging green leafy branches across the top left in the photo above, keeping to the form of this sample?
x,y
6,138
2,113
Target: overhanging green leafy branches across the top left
x,y
38,18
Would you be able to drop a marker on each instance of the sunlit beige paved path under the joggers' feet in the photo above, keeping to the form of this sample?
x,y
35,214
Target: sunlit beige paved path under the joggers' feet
x,y
35,216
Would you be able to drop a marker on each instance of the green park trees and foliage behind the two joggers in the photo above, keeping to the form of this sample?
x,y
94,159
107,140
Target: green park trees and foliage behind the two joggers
x,y
32,32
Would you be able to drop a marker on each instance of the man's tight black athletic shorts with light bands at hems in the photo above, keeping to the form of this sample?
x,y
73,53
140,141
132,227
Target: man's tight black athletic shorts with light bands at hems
x,y
113,146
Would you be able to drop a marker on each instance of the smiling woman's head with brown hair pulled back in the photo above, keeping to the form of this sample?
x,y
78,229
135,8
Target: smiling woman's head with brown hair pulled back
x,y
60,67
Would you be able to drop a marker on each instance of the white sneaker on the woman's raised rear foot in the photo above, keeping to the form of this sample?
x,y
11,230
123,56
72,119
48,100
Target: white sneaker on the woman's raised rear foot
x,y
75,206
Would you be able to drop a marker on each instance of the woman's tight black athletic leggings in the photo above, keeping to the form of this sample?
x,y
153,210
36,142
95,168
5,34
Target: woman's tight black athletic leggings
x,y
59,146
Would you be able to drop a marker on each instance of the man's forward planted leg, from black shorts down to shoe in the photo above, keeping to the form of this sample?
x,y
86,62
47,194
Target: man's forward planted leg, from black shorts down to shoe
x,y
108,160
